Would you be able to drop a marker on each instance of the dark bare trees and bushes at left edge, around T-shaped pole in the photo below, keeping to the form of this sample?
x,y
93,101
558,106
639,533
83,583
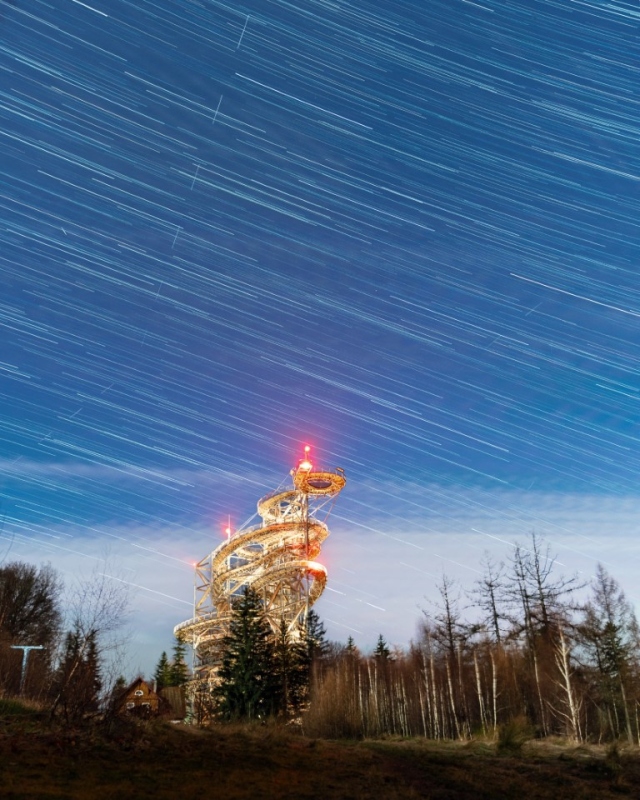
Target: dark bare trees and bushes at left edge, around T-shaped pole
x,y
62,669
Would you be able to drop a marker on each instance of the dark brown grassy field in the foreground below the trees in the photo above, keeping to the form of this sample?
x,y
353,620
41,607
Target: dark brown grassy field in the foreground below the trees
x,y
159,760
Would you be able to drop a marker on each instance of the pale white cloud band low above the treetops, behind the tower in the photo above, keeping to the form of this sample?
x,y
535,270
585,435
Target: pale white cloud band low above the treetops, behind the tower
x,y
382,570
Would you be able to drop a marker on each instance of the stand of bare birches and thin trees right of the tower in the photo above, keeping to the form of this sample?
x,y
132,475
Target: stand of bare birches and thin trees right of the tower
x,y
517,646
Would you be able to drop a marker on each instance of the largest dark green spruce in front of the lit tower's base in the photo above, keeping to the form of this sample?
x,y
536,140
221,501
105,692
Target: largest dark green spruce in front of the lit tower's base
x,y
248,687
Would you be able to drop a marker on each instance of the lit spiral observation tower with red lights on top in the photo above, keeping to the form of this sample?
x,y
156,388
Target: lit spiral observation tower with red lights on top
x,y
276,558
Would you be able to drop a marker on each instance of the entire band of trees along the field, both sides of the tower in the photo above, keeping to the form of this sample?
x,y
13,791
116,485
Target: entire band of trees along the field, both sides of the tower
x,y
523,653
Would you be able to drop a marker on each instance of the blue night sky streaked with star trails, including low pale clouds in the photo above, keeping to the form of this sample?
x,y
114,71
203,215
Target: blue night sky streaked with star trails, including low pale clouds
x,y
405,233
